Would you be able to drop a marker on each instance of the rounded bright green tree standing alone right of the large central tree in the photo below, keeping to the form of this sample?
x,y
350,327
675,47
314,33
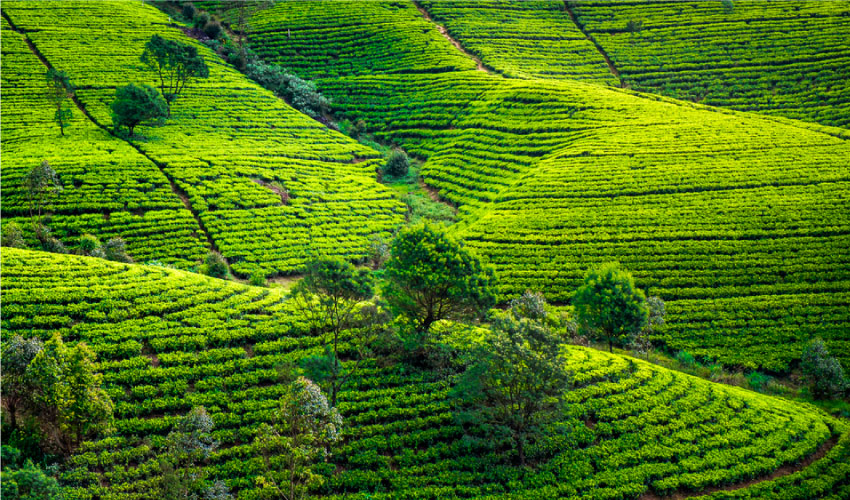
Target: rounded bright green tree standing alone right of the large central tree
x,y
609,306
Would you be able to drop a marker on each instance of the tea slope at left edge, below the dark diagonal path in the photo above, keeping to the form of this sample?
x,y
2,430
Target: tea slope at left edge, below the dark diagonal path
x,y
109,189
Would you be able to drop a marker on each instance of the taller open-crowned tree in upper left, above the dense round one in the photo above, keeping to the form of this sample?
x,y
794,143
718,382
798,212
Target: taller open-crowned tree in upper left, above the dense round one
x,y
175,63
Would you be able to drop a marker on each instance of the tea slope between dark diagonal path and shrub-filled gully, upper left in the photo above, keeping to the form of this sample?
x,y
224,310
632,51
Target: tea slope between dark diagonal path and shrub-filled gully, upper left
x,y
226,138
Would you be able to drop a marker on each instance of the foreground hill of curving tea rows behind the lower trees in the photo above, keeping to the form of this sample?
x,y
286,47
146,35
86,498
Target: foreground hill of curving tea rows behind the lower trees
x,y
169,340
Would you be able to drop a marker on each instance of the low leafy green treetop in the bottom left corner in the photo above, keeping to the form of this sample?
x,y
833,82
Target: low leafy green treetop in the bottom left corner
x,y
27,482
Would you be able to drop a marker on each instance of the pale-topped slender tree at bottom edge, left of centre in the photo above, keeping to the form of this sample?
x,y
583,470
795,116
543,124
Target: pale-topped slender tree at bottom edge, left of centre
x,y
303,430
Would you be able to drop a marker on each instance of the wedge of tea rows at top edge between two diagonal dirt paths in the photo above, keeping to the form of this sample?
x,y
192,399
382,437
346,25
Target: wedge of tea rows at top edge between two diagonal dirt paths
x,y
526,39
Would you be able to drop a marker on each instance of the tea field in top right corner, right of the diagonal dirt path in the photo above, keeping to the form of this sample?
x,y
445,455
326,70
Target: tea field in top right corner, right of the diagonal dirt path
x,y
786,58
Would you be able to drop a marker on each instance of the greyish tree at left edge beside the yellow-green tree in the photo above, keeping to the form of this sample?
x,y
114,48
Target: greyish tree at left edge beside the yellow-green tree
x,y
15,382
